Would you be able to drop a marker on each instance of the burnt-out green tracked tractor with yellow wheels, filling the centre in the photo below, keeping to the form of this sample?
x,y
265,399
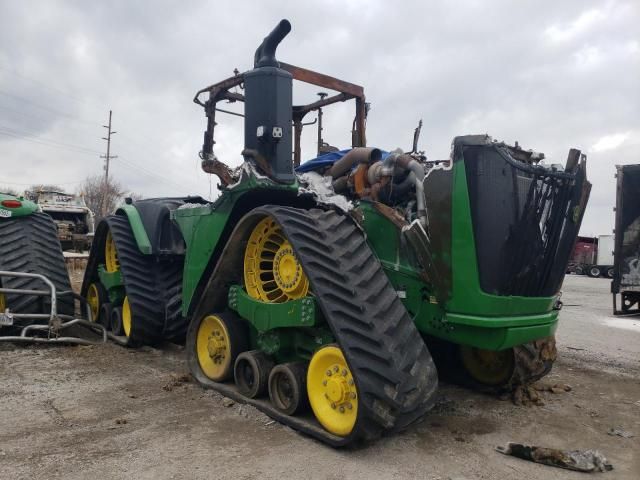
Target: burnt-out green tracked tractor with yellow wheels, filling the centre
x,y
315,292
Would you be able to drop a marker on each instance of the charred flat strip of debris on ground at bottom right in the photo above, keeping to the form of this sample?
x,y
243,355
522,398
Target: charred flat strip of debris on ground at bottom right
x,y
578,460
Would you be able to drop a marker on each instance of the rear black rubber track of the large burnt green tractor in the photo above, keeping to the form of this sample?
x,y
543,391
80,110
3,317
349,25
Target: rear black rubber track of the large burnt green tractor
x,y
150,282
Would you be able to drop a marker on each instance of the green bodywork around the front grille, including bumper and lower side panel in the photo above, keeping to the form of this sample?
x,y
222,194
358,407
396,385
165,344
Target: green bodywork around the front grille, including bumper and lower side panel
x,y
469,316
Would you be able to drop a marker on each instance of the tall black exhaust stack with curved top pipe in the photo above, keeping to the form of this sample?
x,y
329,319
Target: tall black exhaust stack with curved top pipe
x,y
268,104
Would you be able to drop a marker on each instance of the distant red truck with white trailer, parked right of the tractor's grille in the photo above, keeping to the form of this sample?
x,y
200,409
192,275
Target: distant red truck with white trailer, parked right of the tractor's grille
x,y
592,256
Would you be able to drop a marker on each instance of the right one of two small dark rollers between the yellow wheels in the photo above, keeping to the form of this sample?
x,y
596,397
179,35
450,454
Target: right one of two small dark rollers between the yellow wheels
x,y
288,387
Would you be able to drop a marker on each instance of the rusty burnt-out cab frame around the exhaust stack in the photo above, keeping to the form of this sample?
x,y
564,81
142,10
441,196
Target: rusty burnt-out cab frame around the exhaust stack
x,y
221,91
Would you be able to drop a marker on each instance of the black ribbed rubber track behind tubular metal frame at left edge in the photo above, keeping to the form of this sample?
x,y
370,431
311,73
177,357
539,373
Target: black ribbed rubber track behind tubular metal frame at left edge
x,y
30,244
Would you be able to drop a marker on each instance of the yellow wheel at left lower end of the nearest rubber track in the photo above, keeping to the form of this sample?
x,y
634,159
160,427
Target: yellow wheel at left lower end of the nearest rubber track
x,y
213,348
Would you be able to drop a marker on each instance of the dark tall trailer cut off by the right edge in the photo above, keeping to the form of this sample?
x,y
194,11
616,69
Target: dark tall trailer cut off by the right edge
x,y
626,270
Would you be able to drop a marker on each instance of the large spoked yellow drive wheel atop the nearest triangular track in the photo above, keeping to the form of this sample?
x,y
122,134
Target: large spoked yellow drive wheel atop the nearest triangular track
x,y
272,272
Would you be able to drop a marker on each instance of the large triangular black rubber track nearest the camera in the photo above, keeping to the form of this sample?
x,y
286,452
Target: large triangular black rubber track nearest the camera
x,y
395,375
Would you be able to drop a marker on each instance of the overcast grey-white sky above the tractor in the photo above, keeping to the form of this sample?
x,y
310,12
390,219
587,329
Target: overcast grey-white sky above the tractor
x,y
552,75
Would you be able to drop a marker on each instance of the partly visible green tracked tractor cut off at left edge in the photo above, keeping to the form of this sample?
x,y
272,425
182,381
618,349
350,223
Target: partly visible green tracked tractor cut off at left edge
x,y
28,245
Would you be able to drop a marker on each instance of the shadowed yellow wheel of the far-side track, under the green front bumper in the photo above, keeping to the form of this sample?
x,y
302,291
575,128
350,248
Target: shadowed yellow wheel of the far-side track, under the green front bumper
x,y
487,366
